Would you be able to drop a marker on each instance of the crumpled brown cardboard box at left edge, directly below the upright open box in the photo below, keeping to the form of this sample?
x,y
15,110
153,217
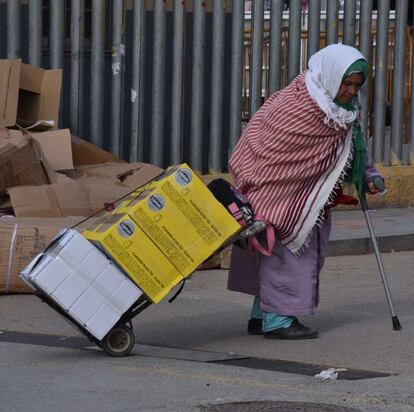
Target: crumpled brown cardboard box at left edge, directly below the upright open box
x,y
20,161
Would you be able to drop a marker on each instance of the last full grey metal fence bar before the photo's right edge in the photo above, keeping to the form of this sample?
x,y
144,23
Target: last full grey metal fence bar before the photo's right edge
x,y
398,82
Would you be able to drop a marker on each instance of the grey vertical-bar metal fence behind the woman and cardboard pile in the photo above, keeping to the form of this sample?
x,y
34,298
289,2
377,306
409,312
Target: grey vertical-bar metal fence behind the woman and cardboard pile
x,y
173,81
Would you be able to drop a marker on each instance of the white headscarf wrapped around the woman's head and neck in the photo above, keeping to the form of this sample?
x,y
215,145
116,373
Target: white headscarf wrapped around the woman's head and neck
x,y
323,79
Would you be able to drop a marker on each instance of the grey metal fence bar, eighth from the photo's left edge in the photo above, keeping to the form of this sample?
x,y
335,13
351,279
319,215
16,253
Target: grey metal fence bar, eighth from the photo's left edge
x,y
158,84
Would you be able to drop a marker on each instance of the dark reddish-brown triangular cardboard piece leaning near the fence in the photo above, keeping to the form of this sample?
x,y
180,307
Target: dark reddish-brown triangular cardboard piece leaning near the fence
x,y
85,153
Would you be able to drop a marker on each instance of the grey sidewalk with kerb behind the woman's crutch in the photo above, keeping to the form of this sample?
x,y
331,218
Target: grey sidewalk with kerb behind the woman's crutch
x,y
394,231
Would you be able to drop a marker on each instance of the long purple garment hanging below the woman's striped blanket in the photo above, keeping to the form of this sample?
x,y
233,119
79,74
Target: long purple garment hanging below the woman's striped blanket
x,y
286,284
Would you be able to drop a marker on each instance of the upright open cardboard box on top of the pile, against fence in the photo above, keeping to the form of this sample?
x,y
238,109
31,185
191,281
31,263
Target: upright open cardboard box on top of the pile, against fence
x,y
28,94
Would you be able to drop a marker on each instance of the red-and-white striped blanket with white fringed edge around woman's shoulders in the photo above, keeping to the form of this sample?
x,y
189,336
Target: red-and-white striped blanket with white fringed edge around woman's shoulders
x,y
288,161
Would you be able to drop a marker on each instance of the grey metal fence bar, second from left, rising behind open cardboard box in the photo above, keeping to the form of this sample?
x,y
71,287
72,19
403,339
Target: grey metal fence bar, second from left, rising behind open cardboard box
x,y
35,32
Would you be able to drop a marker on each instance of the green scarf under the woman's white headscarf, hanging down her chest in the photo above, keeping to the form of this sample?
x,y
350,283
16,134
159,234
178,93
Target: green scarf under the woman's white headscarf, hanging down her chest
x,y
356,174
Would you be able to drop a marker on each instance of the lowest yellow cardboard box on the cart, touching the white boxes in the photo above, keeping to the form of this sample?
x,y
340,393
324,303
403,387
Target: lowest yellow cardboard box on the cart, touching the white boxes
x,y
130,247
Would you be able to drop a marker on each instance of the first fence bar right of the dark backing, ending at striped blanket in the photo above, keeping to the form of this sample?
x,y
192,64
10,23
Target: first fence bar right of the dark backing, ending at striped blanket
x,y
256,61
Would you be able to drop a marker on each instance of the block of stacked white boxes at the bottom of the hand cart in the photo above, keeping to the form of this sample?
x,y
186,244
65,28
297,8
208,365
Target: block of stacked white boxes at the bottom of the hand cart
x,y
83,282
